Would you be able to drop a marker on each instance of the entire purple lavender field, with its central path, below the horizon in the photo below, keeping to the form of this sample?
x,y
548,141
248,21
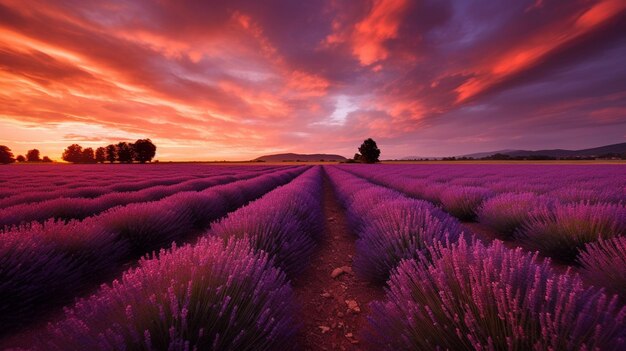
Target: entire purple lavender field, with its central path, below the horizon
x,y
234,257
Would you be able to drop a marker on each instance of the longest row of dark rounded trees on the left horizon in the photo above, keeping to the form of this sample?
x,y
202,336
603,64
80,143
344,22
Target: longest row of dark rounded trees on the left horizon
x,y
142,151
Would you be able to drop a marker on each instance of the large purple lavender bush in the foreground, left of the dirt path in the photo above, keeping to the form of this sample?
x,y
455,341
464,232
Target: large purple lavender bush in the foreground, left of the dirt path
x,y
211,296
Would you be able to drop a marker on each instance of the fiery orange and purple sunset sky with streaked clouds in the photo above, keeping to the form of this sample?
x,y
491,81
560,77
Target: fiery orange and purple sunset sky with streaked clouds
x,y
238,79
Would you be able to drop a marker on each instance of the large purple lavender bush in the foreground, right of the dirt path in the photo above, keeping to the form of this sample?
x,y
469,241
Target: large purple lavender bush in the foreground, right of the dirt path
x,y
476,297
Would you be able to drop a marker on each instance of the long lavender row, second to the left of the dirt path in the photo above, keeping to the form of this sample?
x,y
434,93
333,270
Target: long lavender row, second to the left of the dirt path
x,y
40,261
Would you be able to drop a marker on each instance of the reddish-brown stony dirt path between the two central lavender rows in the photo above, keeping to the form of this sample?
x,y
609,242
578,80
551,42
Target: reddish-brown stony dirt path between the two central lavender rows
x,y
334,310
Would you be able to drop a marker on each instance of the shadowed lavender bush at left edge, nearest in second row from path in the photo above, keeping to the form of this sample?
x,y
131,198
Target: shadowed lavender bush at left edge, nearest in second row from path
x,y
38,263
